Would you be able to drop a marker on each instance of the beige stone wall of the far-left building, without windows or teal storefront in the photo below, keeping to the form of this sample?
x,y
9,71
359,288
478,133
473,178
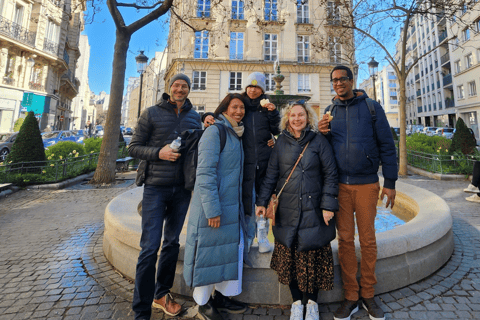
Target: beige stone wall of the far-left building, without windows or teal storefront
x,y
57,77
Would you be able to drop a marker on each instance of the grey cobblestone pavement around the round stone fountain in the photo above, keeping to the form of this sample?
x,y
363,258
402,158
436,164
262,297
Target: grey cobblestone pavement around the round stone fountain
x,y
52,265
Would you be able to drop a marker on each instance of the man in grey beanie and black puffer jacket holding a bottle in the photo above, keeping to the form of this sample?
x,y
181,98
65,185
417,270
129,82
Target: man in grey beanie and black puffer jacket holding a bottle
x,y
165,200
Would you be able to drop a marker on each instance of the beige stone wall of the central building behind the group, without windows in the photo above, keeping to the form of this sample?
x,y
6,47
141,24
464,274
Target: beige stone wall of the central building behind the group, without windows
x,y
219,65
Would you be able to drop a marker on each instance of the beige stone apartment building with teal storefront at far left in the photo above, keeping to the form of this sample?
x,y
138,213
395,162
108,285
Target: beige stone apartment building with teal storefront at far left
x,y
39,49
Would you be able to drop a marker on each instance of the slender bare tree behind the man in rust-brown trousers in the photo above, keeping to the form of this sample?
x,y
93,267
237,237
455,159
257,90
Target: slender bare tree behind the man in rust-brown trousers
x,y
375,23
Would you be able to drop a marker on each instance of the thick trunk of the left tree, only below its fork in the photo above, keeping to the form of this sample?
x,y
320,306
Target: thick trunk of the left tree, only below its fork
x,y
105,172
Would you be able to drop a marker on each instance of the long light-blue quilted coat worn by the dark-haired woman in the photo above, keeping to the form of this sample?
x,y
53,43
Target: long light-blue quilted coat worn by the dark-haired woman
x,y
211,254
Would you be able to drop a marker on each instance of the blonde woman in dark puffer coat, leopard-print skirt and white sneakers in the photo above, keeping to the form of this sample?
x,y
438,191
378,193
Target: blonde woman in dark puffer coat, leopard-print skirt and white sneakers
x,y
303,226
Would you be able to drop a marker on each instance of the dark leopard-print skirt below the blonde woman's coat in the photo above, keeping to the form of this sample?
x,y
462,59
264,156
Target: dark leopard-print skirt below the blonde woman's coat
x,y
312,269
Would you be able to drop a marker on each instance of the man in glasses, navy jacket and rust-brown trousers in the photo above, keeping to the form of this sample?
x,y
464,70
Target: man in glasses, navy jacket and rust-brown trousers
x,y
360,140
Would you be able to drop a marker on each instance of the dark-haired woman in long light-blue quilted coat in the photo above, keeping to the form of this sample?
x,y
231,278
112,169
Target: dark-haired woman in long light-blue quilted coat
x,y
214,248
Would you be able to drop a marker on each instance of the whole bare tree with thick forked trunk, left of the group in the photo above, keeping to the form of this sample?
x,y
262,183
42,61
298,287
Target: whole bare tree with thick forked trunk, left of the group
x,y
105,172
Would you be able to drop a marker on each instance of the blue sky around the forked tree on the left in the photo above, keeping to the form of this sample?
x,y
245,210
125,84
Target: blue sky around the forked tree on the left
x,y
101,36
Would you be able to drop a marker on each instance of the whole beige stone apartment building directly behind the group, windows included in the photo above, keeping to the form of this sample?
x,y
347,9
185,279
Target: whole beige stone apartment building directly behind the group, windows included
x,y
236,38
